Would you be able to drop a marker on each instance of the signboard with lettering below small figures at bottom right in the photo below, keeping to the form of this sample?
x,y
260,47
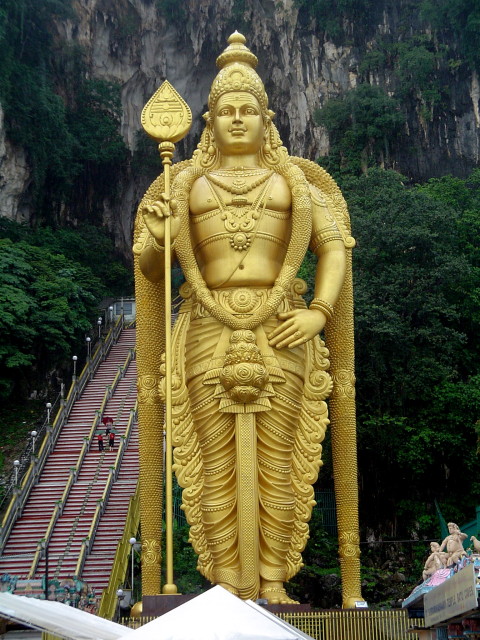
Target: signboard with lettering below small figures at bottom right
x,y
456,596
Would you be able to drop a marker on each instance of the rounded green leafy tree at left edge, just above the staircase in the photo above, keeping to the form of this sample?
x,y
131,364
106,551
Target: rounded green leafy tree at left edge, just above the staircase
x,y
46,305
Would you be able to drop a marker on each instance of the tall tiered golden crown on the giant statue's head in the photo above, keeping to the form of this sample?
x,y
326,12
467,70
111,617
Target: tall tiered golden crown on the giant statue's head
x,y
237,73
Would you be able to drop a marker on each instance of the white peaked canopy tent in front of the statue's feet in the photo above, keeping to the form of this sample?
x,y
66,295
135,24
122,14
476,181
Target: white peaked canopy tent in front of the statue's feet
x,y
217,615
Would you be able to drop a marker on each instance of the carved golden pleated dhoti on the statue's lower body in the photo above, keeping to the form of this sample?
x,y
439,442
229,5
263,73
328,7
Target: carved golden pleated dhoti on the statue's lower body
x,y
276,463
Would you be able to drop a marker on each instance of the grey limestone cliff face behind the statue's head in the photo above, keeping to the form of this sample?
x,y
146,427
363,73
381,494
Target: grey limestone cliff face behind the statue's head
x,y
131,41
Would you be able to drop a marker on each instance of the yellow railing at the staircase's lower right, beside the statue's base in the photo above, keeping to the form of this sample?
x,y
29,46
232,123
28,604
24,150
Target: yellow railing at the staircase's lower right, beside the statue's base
x,y
108,600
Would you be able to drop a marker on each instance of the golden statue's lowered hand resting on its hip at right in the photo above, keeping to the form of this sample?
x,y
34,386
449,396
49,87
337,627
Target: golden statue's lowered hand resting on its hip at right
x,y
298,326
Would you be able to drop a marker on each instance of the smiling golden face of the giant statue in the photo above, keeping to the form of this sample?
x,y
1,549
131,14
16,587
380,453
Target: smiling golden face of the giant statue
x,y
238,124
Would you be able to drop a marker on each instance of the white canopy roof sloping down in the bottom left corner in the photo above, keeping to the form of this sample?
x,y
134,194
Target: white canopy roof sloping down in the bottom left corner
x,y
58,619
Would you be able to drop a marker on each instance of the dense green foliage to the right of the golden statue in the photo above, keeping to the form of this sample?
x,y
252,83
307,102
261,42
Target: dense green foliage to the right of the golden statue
x,y
417,299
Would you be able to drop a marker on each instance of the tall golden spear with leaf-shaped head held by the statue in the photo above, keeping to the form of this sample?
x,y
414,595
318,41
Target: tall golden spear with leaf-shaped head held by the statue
x,y
167,119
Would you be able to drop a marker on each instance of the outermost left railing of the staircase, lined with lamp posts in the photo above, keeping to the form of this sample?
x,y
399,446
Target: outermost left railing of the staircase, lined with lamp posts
x,y
20,493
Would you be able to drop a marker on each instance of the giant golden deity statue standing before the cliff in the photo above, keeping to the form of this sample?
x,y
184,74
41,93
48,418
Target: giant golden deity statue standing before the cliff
x,y
250,373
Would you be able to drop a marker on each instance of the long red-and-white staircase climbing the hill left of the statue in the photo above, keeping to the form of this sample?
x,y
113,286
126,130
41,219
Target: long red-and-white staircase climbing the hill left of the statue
x,y
68,533
